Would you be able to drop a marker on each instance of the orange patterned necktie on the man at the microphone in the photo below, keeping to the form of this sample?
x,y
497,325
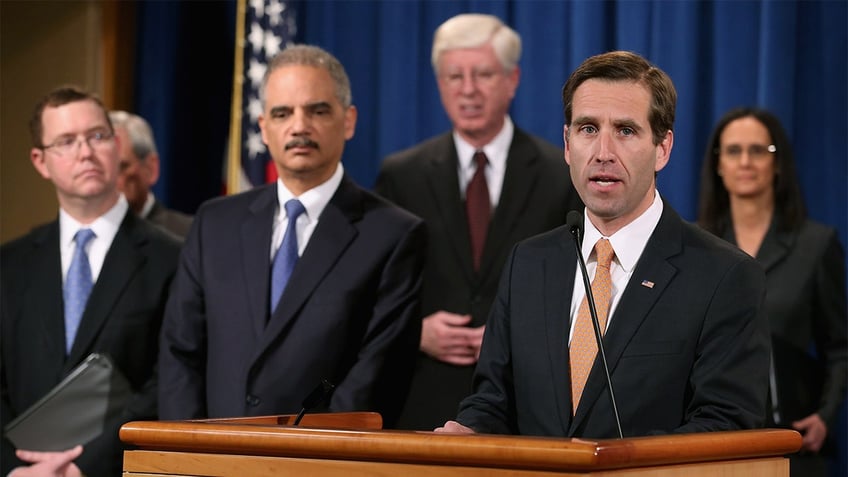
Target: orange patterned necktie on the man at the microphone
x,y
583,345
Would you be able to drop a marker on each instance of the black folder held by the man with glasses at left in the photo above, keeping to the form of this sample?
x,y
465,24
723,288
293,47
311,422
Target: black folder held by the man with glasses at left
x,y
75,410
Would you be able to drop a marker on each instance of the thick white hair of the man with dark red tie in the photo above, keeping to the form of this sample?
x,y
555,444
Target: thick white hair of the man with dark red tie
x,y
472,30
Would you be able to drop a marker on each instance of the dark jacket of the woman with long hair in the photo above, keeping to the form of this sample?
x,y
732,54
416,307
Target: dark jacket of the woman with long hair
x,y
806,307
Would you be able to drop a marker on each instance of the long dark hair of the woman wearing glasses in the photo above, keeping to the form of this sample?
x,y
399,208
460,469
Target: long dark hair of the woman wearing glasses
x,y
714,200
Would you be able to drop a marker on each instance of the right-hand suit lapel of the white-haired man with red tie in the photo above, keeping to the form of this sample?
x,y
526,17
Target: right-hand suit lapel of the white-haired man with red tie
x,y
519,181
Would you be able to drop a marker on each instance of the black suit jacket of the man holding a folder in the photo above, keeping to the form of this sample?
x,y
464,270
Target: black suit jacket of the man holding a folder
x,y
122,319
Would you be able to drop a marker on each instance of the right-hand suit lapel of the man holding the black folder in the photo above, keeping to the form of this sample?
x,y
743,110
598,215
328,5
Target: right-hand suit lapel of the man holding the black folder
x,y
123,260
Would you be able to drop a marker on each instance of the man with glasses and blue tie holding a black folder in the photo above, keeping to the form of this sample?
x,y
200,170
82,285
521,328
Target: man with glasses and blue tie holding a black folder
x,y
93,280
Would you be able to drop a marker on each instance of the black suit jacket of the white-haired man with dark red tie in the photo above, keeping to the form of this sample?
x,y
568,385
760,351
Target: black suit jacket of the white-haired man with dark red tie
x,y
536,197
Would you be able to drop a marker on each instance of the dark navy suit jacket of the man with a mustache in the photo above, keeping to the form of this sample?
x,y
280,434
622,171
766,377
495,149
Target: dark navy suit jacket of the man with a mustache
x,y
350,313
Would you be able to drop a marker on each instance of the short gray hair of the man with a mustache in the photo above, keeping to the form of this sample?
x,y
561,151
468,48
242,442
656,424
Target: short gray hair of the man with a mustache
x,y
307,55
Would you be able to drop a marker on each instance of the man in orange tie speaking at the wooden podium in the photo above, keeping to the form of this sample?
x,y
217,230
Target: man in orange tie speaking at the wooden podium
x,y
687,343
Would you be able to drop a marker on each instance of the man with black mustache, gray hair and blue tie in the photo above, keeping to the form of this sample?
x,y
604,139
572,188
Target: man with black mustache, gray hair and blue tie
x,y
311,278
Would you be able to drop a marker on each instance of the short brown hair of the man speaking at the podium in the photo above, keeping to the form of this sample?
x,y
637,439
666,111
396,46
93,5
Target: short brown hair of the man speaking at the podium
x,y
628,66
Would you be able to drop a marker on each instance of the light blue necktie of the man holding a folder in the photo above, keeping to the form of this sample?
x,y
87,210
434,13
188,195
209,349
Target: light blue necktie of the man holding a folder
x,y
77,287
